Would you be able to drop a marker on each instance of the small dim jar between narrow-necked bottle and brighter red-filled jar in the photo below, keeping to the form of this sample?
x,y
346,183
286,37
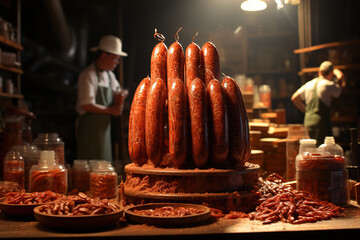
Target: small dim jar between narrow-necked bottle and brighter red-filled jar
x,y
80,175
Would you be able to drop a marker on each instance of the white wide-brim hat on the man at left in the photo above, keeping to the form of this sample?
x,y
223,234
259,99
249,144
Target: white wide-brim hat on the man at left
x,y
110,44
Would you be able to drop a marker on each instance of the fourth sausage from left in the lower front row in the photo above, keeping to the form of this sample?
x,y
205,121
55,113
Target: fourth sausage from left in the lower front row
x,y
199,122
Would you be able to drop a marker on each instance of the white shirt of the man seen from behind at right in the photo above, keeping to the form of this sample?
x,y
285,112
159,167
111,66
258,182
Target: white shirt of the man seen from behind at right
x,y
326,90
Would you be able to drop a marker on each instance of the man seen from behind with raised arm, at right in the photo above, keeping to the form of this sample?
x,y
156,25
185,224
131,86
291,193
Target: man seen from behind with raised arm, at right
x,y
314,99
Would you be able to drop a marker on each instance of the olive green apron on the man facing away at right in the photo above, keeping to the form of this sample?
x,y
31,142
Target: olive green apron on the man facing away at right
x,y
317,118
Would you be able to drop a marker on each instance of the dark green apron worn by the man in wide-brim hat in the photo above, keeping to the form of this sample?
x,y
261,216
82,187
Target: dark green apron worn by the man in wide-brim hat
x,y
94,130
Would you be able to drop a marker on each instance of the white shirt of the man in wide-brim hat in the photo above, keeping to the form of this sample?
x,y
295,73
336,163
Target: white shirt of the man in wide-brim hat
x,y
88,84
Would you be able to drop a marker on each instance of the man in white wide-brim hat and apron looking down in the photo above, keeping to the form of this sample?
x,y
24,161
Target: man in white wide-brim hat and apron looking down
x,y
99,98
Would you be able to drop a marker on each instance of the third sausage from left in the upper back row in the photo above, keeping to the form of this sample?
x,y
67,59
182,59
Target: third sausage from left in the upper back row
x,y
193,67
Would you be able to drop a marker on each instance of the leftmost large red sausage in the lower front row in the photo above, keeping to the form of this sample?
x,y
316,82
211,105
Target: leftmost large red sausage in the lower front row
x,y
136,141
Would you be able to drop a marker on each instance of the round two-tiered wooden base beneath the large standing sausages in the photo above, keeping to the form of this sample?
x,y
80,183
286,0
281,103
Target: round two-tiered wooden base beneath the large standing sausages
x,y
225,189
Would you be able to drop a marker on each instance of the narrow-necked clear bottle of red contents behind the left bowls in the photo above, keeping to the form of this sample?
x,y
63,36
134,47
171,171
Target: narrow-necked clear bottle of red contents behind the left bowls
x,y
48,175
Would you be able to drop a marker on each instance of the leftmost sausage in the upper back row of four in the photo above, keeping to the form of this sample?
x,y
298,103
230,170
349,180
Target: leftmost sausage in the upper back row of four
x,y
158,62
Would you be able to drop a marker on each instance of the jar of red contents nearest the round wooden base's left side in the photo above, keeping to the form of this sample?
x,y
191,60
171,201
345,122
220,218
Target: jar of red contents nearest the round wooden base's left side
x,y
103,180
